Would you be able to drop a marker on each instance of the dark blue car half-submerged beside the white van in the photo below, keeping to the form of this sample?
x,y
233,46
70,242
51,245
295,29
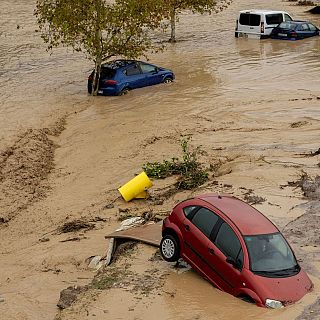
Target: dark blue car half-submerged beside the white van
x,y
294,30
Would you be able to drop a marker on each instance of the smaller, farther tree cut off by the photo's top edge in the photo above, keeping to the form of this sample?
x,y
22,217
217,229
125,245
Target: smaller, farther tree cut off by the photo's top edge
x,y
175,6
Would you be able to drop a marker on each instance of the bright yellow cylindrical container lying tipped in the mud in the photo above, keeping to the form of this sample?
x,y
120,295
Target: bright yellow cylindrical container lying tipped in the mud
x,y
136,187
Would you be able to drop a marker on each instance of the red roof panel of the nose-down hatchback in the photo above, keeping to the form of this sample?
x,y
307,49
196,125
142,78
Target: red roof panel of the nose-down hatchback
x,y
248,220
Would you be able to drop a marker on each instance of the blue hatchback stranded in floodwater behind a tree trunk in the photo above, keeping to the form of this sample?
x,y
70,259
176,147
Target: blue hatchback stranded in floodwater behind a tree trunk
x,y
119,76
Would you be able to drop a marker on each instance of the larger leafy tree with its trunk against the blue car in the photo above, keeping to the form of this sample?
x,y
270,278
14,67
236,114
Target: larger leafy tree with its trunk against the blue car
x,y
100,28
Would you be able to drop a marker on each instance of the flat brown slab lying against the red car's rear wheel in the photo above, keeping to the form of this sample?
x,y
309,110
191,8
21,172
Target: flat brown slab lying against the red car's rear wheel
x,y
148,233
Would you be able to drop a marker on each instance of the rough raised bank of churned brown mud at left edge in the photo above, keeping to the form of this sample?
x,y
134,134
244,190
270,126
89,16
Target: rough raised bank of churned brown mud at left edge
x,y
24,168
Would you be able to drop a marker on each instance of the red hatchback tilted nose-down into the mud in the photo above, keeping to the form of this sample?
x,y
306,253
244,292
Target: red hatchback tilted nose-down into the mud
x,y
235,247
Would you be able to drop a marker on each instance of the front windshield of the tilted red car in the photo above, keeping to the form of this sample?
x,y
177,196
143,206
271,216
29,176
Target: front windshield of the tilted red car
x,y
270,254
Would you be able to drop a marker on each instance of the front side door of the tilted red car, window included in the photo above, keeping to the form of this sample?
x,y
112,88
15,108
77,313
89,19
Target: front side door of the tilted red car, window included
x,y
226,245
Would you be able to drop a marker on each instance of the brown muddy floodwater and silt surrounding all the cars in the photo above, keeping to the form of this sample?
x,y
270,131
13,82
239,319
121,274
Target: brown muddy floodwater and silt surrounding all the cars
x,y
252,105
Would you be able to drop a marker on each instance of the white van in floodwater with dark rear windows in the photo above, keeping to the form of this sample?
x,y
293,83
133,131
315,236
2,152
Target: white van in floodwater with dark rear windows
x,y
259,23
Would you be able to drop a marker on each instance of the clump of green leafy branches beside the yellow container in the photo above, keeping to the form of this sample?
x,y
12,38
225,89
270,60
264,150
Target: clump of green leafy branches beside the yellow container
x,y
191,175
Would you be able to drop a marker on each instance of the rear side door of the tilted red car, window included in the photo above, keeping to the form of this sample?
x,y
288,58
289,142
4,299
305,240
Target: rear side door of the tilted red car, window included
x,y
196,232
